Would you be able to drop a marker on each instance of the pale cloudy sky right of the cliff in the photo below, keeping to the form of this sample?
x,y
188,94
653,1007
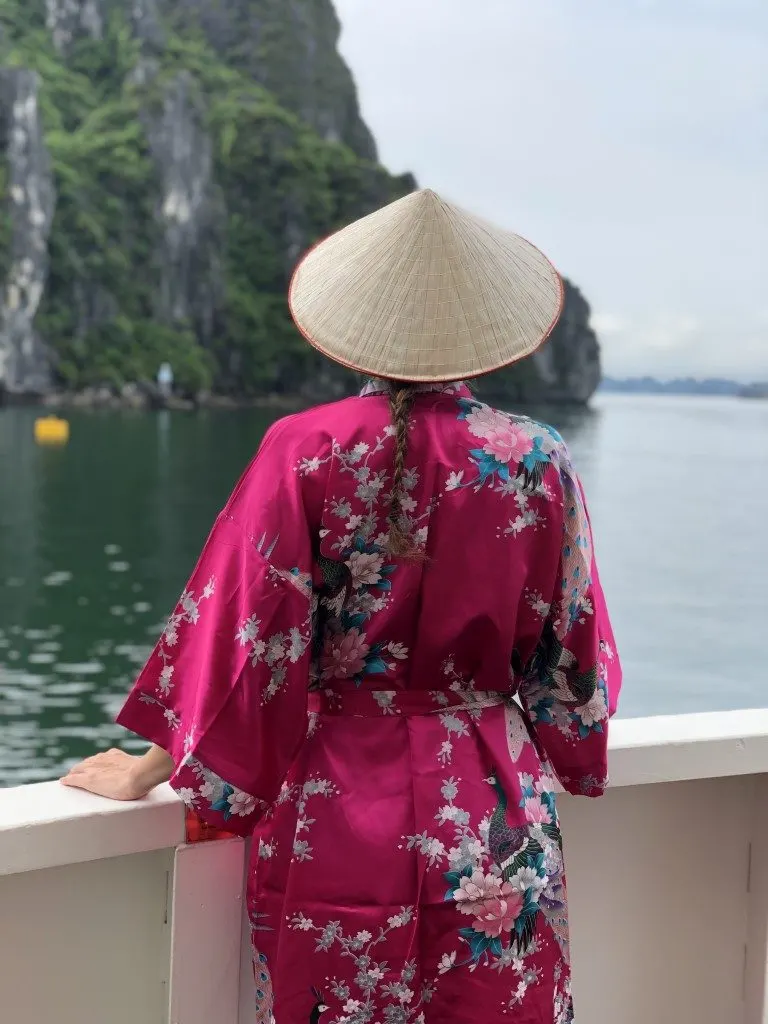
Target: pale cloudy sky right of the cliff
x,y
627,139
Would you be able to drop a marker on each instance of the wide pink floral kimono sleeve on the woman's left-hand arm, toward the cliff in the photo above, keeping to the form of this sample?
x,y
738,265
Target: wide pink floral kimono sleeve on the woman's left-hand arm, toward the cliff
x,y
225,692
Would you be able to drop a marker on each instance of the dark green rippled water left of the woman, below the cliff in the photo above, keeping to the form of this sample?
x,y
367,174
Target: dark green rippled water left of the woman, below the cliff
x,y
97,540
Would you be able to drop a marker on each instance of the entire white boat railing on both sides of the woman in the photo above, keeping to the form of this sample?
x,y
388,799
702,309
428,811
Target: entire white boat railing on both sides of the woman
x,y
108,918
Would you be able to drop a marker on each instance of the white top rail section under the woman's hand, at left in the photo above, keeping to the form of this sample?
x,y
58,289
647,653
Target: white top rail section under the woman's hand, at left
x,y
49,825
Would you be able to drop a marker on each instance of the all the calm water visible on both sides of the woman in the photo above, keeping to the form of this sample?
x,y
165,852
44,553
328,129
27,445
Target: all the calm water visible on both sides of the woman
x,y
98,539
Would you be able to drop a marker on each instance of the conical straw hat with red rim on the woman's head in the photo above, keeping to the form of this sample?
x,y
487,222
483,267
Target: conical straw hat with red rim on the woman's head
x,y
423,291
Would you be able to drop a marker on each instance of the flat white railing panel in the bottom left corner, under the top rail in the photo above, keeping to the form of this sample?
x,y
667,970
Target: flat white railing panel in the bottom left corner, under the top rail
x,y
87,944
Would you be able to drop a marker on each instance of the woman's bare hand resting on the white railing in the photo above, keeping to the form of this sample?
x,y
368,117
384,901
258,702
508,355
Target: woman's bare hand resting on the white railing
x,y
120,776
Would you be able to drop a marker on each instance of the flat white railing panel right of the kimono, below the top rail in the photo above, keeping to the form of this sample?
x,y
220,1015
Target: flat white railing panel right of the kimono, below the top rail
x,y
658,888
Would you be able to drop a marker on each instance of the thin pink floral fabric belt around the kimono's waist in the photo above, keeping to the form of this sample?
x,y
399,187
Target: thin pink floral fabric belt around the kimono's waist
x,y
374,704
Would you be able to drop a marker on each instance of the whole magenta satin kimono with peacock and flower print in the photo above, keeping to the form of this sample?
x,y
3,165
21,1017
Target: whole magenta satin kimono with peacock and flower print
x,y
393,730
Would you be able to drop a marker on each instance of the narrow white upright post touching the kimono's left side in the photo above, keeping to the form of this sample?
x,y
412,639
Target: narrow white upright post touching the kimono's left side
x,y
207,916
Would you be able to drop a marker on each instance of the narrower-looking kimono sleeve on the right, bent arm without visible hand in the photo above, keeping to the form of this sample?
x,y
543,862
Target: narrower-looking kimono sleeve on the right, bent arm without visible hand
x,y
571,688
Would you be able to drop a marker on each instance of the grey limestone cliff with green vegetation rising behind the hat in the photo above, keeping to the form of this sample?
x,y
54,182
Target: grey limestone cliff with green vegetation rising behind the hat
x,y
163,163
